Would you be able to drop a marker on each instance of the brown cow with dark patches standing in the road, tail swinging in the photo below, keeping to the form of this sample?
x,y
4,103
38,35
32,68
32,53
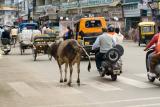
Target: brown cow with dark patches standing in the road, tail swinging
x,y
68,52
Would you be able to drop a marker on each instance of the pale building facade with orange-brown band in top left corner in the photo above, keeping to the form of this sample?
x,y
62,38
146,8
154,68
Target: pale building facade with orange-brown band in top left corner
x,y
7,12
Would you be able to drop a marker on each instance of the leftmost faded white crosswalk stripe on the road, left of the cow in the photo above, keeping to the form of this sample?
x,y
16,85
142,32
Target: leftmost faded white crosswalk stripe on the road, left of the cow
x,y
23,89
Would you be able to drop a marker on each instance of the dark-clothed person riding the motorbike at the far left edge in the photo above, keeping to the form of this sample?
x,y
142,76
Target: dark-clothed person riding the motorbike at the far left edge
x,y
5,38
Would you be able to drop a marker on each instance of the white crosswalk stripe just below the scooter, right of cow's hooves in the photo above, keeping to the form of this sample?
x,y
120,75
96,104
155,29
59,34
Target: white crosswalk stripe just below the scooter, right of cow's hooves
x,y
103,87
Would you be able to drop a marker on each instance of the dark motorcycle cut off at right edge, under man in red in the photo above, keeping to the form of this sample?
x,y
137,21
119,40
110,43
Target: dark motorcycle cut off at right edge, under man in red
x,y
156,69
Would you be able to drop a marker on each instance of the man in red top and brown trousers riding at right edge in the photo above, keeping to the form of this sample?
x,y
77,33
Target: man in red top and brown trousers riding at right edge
x,y
154,57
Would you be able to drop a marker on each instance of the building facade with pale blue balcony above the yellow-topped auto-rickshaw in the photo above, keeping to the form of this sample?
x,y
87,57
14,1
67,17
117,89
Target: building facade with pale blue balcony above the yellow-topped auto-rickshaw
x,y
133,13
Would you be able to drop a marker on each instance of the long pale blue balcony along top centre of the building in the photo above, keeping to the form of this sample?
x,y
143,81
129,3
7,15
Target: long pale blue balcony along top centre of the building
x,y
86,3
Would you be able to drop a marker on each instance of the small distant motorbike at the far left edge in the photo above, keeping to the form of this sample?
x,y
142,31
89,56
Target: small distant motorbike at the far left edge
x,y
6,47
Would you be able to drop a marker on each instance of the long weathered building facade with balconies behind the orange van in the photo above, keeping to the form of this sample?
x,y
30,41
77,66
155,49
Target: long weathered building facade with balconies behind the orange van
x,y
74,9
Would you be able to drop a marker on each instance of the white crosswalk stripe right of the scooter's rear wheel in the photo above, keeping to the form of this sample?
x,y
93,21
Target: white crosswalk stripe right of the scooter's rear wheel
x,y
135,83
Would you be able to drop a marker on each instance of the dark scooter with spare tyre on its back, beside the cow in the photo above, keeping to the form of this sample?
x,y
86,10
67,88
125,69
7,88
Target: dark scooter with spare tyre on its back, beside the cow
x,y
112,63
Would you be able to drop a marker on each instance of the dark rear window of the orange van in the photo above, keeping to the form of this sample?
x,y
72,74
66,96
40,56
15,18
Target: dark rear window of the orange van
x,y
93,23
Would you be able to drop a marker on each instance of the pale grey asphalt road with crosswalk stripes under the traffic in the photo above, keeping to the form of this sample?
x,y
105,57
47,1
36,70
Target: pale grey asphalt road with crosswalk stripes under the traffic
x,y
28,83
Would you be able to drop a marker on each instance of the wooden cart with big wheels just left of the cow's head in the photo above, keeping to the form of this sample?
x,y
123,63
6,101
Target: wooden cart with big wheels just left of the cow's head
x,y
41,45
